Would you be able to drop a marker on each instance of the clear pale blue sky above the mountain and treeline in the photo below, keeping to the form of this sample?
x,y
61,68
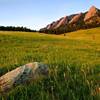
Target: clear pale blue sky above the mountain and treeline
x,y
36,14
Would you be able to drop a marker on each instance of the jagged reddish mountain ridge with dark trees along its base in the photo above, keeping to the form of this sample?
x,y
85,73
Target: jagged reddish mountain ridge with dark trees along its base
x,y
74,22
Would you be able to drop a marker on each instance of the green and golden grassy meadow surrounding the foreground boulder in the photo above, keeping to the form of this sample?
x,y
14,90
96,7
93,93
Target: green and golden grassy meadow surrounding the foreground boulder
x,y
73,60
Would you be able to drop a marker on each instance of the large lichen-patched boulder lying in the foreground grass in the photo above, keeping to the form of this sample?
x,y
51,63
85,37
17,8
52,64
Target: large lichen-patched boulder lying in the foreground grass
x,y
22,75
